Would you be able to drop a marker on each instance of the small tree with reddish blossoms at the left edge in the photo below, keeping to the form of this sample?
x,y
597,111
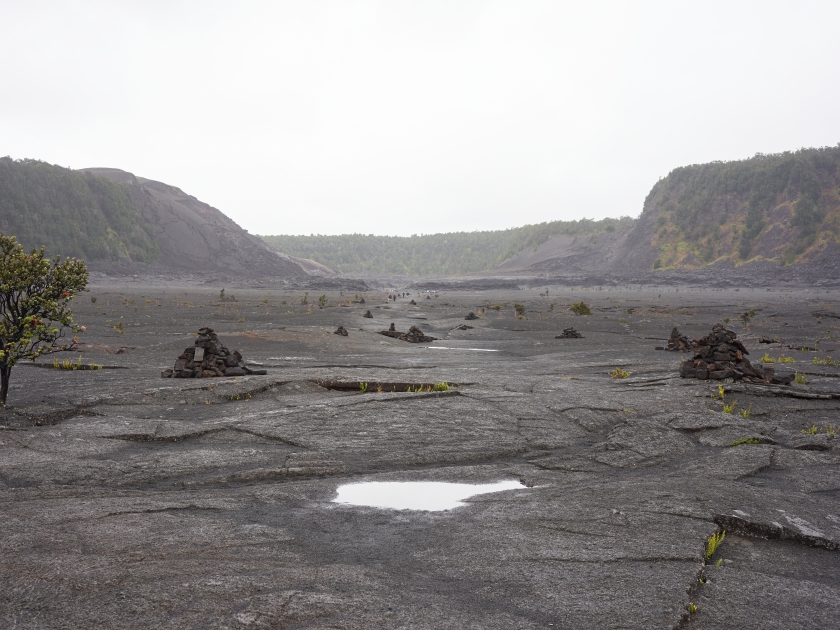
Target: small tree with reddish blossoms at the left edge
x,y
34,316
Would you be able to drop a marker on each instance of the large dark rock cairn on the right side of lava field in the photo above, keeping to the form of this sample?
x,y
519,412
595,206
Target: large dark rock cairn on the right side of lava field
x,y
719,355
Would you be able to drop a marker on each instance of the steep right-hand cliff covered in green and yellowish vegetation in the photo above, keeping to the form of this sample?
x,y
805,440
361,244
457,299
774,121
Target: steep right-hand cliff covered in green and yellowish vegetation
x,y
783,207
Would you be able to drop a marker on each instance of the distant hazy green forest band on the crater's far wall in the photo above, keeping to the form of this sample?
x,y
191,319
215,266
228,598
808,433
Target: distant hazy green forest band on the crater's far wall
x,y
430,254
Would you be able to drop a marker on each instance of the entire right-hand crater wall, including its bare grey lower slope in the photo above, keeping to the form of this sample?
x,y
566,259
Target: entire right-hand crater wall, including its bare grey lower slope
x,y
777,210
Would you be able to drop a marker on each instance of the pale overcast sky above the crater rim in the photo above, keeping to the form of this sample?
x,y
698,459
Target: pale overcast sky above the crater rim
x,y
414,117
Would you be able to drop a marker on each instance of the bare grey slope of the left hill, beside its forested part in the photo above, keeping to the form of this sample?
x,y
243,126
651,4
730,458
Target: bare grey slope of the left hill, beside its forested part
x,y
193,236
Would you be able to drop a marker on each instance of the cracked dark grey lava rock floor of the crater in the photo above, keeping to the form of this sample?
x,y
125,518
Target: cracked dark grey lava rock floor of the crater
x,y
132,502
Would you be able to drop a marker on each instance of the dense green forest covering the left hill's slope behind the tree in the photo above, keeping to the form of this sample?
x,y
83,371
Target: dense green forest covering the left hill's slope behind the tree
x,y
72,213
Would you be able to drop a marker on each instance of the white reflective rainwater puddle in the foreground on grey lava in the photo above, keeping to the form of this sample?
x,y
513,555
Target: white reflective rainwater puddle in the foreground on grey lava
x,y
431,496
